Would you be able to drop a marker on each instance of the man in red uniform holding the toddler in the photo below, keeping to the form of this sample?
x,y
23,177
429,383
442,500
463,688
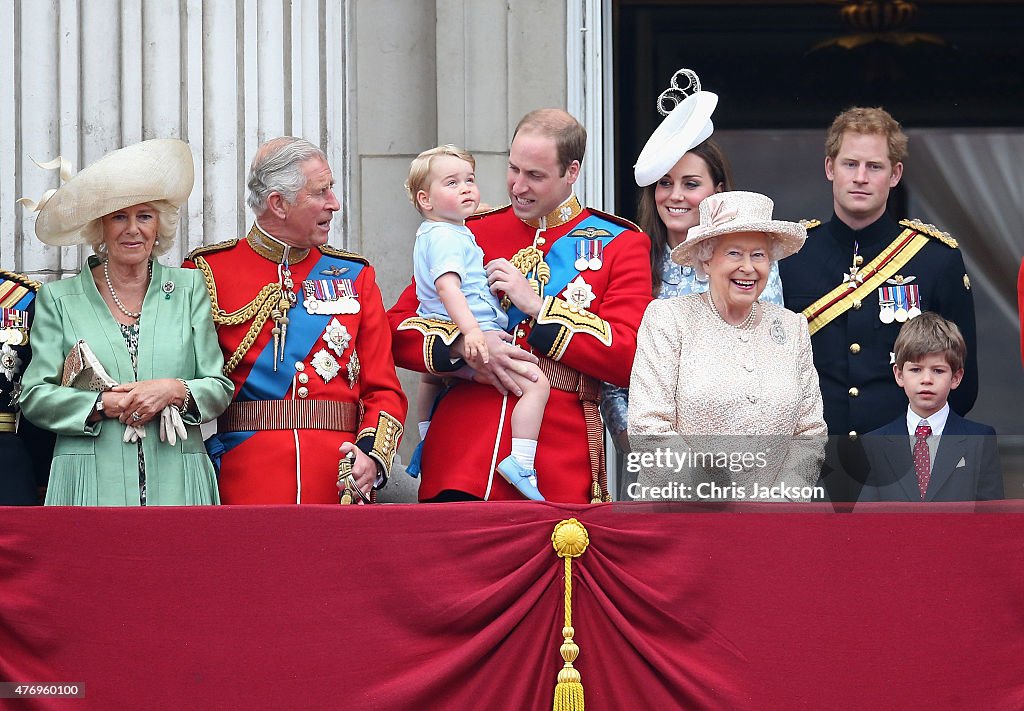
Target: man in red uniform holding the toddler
x,y
576,283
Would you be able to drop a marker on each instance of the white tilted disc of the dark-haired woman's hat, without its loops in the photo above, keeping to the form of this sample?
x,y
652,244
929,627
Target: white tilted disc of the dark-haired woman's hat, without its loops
x,y
687,127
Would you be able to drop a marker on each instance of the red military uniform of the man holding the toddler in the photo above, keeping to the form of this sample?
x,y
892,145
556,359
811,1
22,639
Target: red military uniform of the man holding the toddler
x,y
593,271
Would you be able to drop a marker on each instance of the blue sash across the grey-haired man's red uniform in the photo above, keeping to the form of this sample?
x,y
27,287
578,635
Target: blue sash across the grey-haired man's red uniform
x,y
305,329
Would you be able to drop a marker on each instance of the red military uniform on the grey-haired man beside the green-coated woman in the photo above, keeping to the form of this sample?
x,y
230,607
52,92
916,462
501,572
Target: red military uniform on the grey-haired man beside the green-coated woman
x,y
309,349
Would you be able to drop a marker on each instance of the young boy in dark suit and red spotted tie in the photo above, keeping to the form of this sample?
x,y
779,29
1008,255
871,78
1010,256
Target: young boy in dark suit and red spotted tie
x,y
931,454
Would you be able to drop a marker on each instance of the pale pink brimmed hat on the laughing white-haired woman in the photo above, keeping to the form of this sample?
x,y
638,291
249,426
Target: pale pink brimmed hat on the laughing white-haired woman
x,y
740,212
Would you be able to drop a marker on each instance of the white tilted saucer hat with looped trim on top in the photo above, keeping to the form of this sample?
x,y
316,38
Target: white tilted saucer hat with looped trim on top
x,y
688,123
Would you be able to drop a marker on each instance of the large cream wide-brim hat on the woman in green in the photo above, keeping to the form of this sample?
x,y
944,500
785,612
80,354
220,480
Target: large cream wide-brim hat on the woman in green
x,y
156,170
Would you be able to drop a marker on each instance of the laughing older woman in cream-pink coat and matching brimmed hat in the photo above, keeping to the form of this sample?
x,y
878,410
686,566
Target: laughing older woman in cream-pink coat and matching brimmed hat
x,y
724,373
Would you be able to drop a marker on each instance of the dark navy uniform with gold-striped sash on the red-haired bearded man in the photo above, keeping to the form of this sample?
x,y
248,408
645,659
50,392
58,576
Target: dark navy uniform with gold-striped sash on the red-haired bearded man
x,y
855,315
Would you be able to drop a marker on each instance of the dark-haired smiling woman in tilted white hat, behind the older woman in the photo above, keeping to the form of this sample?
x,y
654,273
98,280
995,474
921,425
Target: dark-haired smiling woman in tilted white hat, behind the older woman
x,y
679,166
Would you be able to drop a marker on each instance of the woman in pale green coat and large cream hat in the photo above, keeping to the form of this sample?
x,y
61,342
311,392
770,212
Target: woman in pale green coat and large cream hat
x,y
148,327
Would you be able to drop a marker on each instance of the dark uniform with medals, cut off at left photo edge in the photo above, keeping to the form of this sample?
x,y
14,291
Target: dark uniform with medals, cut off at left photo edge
x,y
25,449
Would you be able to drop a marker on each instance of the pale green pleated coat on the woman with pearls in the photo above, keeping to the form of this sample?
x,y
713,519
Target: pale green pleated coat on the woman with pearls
x,y
93,467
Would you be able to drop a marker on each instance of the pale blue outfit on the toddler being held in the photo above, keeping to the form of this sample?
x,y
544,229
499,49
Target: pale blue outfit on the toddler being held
x,y
441,248
